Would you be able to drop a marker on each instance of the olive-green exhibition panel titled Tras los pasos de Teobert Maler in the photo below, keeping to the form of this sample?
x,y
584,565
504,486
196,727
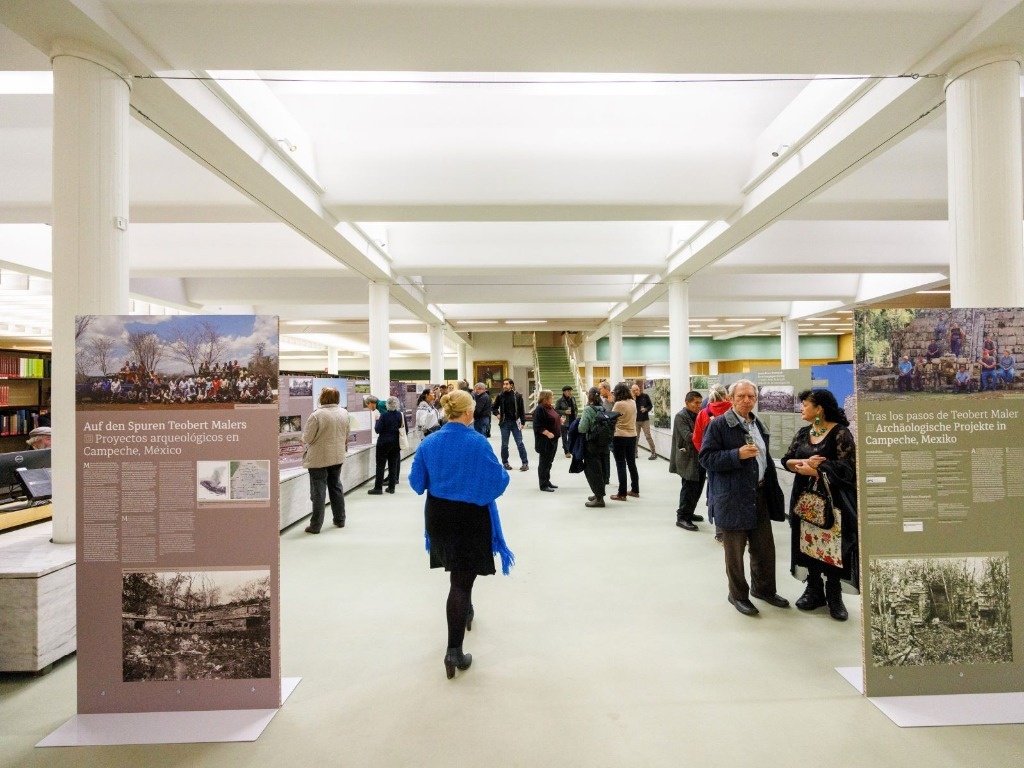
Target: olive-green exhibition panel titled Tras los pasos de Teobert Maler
x,y
941,467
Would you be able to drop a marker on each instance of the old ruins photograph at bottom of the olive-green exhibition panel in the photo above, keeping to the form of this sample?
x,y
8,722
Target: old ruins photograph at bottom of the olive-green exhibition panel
x,y
941,611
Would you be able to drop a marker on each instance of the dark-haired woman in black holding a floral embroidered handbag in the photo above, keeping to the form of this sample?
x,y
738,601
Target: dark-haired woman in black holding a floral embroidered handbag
x,y
824,504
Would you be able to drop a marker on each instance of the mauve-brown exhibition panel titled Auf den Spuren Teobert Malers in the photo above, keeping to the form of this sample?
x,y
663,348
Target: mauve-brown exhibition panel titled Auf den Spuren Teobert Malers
x,y
178,517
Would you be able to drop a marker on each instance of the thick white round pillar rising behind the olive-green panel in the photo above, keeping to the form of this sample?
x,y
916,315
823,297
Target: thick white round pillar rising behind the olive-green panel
x,y
984,150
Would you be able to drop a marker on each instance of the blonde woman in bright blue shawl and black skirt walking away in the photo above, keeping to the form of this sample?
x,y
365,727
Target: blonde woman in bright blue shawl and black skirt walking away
x,y
464,478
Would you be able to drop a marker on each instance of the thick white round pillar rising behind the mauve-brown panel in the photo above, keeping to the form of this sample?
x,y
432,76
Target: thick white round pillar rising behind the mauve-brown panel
x,y
91,229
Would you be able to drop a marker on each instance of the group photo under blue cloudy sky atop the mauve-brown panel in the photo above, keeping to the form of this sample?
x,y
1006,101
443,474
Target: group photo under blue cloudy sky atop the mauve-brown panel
x,y
176,362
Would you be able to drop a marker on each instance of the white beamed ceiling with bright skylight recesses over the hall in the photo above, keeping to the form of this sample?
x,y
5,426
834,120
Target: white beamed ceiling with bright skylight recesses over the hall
x,y
548,160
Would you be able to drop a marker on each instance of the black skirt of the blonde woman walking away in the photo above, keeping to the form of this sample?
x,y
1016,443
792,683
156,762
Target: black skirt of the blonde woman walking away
x,y
460,536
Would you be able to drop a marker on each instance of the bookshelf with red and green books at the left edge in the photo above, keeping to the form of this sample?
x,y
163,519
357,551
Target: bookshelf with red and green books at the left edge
x,y
25,391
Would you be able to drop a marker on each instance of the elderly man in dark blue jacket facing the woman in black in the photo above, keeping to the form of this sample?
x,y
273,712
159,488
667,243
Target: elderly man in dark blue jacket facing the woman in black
x,y
744,497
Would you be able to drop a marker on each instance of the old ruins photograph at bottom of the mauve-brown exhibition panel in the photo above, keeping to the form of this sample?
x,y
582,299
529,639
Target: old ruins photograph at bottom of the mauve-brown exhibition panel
x,y
207,625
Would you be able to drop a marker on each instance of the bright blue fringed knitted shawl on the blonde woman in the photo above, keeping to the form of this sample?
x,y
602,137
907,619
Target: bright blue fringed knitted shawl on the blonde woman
x,y
458,463
